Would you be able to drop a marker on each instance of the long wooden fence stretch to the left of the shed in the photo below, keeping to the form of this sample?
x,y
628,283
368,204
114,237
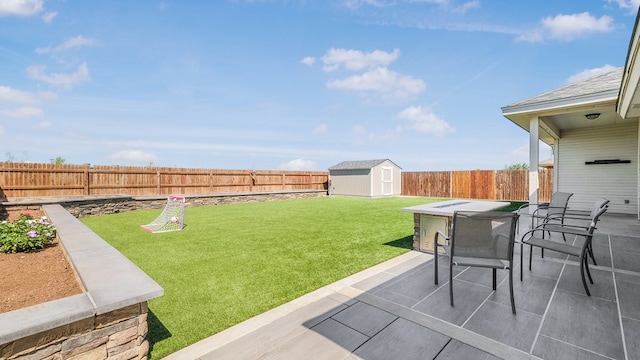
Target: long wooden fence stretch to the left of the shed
x,y
20,180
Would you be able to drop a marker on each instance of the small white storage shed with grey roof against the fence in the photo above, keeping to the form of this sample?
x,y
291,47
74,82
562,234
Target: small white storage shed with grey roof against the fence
x,y
371,178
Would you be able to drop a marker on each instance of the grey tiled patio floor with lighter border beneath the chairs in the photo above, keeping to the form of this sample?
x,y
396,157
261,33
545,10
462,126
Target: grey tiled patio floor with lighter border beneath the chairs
x,y
394,311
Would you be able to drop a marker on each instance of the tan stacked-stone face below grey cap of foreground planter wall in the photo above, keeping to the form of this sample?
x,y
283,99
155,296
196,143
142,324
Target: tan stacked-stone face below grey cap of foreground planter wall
x,y
119,334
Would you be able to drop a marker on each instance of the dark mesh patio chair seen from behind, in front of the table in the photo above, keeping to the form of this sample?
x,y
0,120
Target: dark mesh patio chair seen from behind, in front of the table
x,y
479,239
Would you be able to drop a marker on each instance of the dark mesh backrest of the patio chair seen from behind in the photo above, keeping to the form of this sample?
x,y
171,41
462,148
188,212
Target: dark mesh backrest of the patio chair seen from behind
x,y
488,234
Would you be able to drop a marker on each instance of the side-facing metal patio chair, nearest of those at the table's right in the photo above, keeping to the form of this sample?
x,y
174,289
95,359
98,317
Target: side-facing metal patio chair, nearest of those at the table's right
x,y
536,238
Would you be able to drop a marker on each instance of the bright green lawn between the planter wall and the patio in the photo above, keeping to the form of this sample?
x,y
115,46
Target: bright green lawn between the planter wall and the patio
x,y
232,262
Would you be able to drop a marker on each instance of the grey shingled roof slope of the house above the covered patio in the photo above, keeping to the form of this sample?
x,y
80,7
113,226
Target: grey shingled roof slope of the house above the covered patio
x,y
603,85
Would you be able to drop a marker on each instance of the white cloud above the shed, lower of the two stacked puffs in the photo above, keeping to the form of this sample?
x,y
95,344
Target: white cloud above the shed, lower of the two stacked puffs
x,y
384,81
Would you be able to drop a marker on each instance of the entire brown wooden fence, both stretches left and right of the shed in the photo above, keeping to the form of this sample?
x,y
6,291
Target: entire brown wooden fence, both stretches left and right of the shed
x,y
26,180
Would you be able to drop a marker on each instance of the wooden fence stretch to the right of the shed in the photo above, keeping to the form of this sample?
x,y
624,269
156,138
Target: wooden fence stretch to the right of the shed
x,y
510,185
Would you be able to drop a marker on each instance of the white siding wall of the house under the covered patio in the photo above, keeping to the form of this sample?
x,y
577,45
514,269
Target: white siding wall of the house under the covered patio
x,y
616,182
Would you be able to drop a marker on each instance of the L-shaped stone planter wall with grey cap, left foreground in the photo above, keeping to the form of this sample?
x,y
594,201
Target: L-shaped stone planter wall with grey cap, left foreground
x,y
109,320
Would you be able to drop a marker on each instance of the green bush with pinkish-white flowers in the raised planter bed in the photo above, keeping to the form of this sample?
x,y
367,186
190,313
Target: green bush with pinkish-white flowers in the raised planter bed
x,y
26,234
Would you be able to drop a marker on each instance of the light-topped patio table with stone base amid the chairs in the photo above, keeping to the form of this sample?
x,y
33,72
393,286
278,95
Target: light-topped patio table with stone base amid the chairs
x,y
433,217
